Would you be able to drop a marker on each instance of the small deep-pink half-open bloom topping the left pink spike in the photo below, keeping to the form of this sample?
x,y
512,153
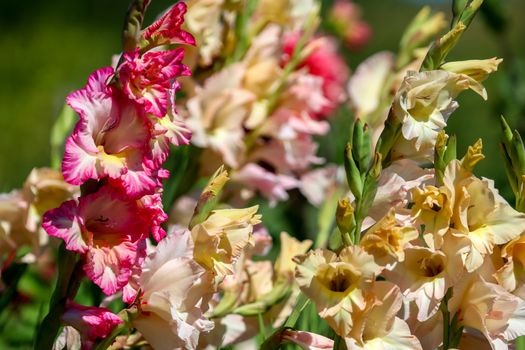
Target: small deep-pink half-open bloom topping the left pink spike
x,y
167,29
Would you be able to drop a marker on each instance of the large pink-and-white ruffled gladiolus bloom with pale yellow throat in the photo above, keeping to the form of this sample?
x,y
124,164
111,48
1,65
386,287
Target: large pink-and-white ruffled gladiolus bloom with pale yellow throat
x,y
110,138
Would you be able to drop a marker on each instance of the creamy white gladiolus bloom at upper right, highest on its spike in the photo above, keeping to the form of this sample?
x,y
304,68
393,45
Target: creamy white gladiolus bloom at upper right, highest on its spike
x,y
425,100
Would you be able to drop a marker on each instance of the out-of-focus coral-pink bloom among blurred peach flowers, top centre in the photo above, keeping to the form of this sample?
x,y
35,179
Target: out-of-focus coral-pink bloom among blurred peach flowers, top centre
x,y
323,61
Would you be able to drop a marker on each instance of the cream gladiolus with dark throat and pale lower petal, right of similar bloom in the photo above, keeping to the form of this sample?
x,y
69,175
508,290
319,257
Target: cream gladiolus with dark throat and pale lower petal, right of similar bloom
x,y
425,275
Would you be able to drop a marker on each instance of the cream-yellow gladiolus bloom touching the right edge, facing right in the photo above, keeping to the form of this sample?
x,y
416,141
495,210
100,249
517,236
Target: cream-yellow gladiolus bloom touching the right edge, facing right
x,y
481,215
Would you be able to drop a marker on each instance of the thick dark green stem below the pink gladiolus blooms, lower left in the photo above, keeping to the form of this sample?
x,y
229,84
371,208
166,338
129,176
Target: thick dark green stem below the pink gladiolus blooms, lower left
x,y
69,277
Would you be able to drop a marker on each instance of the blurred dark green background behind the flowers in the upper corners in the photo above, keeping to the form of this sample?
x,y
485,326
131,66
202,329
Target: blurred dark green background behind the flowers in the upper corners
x,y
49,48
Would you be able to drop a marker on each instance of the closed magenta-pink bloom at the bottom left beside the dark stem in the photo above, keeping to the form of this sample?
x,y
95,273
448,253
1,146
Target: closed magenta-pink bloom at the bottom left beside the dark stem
x,y
92,322
